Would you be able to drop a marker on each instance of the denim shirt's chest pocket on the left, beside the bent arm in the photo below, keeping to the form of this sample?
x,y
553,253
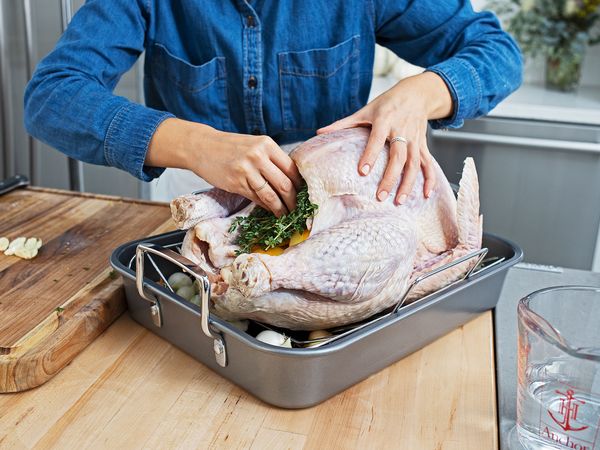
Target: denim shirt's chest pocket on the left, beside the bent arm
x,y
192,92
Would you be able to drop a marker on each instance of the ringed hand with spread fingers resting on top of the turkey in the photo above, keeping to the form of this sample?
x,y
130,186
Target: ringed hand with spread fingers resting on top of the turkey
x,y
402,111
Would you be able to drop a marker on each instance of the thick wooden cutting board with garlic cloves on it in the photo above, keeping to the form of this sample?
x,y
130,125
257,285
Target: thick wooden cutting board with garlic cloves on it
x,y
53,306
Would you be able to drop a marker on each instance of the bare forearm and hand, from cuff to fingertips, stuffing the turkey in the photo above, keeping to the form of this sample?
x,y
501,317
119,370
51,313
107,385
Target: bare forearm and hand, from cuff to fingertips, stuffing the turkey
x,y
252,166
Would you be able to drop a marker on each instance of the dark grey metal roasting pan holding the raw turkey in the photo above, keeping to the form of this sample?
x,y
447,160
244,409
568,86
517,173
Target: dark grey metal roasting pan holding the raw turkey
x,y
299,377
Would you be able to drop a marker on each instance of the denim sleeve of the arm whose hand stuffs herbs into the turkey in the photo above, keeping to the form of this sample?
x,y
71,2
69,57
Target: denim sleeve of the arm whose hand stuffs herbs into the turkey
x,y
69,102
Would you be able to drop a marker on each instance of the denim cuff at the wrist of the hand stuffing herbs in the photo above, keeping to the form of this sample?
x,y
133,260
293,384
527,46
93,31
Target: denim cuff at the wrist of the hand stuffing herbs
x,y
128,138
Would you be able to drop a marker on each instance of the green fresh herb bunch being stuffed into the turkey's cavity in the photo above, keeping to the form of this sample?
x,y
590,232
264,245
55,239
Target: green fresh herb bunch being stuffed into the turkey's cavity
x,y
262,228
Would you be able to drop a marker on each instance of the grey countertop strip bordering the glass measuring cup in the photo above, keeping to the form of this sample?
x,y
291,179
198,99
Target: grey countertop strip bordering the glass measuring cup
x,y
520,281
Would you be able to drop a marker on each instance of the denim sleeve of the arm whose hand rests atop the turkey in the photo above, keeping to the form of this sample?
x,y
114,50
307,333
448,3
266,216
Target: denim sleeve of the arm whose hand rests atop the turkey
x,y
478,61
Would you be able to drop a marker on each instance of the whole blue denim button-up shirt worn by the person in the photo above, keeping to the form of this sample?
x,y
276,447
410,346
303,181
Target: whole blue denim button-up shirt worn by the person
x,y
277,67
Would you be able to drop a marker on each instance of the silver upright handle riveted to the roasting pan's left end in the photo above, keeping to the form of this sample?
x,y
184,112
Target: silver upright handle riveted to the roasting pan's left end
x,y
198,274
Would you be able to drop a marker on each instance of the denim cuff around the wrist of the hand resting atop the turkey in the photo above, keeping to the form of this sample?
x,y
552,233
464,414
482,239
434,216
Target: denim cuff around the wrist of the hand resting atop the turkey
x,y
465,88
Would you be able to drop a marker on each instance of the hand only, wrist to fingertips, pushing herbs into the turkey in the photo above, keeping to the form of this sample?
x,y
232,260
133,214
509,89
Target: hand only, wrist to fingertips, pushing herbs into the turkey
x,y
252,166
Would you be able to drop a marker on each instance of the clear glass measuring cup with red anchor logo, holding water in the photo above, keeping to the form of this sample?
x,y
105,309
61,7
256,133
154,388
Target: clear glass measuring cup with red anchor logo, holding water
x,y
558,398
